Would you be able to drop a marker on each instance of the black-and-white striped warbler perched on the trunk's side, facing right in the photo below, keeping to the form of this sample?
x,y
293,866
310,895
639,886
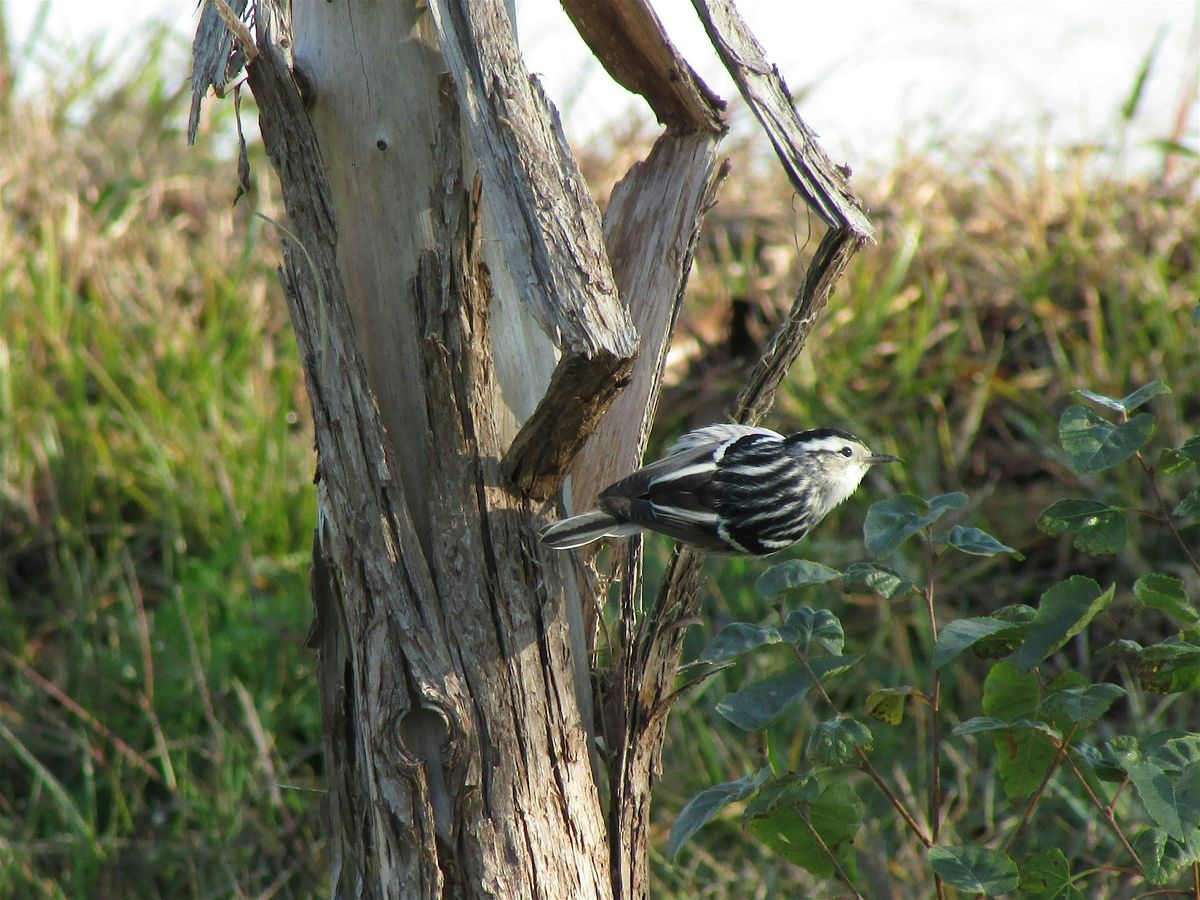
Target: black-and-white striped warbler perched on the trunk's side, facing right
x,y
729,489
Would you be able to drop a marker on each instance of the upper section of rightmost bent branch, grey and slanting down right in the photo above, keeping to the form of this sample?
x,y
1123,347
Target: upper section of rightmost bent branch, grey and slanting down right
x,y
823,185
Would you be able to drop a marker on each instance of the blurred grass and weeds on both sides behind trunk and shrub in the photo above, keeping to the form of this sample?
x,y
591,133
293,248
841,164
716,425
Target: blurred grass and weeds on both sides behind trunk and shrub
x,y
159,718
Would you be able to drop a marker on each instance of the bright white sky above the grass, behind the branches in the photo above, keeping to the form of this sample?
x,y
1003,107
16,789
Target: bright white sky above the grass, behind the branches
x,y
1025,70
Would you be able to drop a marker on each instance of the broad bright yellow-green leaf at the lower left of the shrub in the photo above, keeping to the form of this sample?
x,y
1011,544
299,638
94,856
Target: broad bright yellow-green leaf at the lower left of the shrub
x,y
836,815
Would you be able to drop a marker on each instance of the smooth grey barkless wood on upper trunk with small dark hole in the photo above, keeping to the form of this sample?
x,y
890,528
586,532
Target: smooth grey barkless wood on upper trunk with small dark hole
x,y
377,157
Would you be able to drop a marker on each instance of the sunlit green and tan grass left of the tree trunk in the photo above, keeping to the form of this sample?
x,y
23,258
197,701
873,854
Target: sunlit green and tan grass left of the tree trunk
x,y
155,506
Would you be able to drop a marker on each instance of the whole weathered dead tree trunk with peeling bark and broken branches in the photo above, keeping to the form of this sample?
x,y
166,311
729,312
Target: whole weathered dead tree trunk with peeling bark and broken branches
x,y
471,335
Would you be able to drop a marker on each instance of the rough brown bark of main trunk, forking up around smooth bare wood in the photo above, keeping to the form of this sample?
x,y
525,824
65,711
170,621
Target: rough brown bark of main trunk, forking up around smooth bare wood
x,y
459,760
